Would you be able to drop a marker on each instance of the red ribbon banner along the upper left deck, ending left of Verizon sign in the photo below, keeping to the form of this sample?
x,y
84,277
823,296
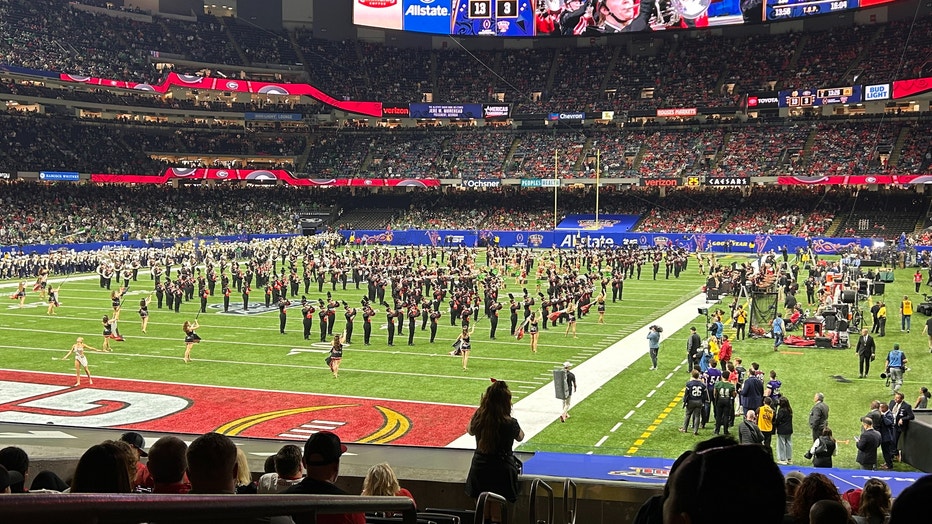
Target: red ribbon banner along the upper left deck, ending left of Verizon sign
x,y
235,86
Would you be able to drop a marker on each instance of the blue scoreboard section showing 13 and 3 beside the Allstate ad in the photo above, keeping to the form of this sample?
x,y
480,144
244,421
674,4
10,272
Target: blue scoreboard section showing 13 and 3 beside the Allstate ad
x,y
494,17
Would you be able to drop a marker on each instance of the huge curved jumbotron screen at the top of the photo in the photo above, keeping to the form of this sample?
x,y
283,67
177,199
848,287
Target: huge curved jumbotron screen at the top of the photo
x,y
527,18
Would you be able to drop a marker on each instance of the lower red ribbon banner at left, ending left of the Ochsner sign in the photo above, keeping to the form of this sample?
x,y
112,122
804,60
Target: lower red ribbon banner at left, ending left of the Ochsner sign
x,y
259,175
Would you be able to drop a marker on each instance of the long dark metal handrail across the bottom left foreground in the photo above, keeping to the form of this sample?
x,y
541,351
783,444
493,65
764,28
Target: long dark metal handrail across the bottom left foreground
x,y
93,508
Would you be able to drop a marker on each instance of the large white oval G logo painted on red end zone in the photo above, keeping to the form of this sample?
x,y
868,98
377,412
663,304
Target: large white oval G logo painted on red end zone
x,y
83,407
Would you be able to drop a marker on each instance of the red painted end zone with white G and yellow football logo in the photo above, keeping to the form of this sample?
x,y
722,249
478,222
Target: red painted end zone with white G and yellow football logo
x,y
48,398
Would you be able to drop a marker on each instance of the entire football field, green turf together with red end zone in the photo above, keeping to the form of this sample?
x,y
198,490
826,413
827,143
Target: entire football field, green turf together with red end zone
x,y
416,394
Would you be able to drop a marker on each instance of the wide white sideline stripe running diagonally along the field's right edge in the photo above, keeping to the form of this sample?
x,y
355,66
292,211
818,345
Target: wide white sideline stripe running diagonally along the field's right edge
x,y
541,408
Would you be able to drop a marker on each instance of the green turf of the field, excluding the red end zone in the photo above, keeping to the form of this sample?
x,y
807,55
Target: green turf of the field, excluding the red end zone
x,y
248,351
